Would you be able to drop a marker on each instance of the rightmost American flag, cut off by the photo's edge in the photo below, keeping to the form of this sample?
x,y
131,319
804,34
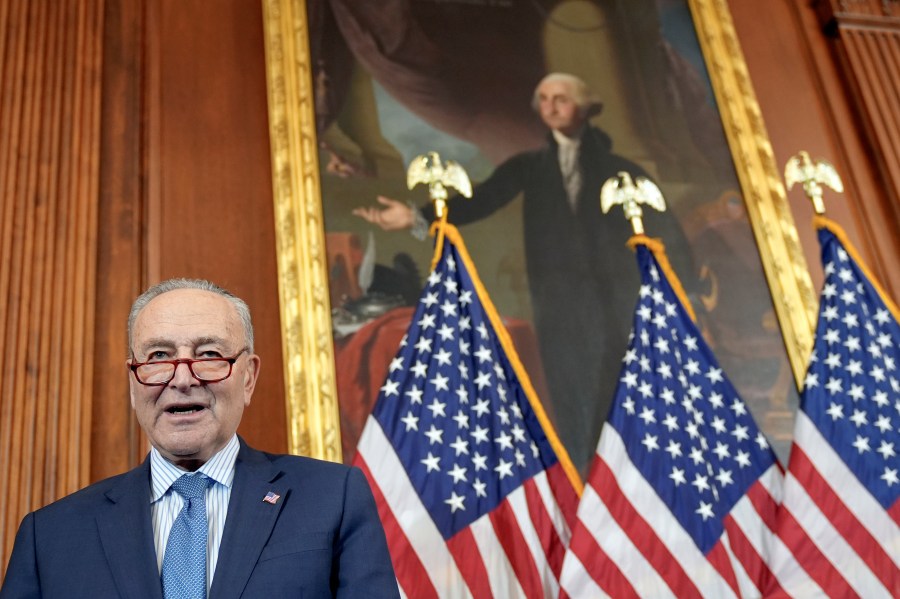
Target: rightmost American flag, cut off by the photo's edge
x,y
839,519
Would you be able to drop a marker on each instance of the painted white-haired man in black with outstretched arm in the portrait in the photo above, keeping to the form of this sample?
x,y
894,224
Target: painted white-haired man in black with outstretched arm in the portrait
x,y
582,278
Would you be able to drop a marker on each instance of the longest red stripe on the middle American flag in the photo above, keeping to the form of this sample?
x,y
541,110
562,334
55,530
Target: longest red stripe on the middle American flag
x,y
644,538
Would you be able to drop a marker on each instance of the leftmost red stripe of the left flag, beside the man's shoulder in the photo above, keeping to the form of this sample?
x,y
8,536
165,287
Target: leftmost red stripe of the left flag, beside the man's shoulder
x,y
410,572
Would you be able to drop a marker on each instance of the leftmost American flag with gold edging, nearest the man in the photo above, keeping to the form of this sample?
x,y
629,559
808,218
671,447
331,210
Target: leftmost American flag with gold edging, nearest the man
x,y
475,491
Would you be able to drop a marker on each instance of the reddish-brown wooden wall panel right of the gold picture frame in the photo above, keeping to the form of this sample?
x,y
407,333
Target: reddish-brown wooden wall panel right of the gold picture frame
x,y
799,73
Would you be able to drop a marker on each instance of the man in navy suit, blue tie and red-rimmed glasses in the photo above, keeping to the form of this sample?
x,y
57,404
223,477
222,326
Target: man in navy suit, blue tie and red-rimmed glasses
x,y
204,513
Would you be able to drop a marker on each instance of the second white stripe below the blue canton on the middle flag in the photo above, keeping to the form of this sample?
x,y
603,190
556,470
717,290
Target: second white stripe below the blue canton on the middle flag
x,y
596,520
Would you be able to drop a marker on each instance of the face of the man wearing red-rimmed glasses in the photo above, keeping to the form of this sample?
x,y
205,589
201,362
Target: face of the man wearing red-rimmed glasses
x,y
186,420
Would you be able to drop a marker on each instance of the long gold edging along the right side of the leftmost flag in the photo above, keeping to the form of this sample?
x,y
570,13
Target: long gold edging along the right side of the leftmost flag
x,y
443,228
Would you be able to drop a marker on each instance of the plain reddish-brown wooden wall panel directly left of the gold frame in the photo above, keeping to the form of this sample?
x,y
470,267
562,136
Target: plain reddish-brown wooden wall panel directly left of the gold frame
x,y
210,207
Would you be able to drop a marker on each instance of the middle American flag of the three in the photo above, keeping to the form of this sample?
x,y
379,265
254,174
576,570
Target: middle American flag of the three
x,y
684,486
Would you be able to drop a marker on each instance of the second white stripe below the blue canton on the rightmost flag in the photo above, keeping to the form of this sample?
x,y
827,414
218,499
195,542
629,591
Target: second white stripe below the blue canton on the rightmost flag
x,y
830,542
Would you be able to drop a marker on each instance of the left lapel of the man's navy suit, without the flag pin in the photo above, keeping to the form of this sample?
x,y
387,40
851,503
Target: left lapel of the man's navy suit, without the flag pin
x,y
126,534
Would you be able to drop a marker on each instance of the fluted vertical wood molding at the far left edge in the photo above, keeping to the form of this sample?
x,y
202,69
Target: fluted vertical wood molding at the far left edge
x,y
50,62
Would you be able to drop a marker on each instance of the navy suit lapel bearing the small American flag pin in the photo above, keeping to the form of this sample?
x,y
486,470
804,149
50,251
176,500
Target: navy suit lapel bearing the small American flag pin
x,y
249,523
